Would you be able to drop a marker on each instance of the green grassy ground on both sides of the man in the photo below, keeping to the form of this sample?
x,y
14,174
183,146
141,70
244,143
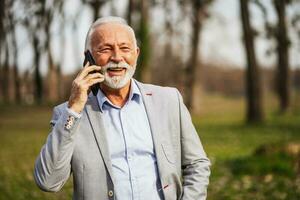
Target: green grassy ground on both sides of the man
x,y
226,138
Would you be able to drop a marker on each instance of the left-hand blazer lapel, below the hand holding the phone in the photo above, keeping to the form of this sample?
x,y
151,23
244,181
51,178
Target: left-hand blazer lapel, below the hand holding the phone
x,y
96,119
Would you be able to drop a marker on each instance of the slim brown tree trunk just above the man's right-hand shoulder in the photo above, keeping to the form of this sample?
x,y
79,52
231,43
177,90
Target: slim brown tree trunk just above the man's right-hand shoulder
x,y
190,71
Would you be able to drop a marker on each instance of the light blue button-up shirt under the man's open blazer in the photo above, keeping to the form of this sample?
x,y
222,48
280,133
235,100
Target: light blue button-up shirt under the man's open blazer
x,y
131,148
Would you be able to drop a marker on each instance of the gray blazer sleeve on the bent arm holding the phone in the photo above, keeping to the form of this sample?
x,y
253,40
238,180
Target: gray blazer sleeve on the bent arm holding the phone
x,y
53,165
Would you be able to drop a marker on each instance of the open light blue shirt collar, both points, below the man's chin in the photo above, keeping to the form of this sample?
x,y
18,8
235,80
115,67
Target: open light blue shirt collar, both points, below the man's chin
x,y
134,95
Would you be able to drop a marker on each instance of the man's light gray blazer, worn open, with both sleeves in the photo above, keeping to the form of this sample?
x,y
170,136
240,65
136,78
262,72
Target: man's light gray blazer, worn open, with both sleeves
x,y
78,146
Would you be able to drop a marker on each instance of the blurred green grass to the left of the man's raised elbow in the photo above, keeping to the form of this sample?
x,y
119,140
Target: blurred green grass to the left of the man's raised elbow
x,y
23,131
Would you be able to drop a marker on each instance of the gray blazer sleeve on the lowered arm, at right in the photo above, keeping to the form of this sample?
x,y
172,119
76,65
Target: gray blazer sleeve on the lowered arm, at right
x,y
195,164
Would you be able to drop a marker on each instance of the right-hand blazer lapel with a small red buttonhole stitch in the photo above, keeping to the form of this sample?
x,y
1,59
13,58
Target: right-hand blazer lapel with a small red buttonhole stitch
x,y
153,111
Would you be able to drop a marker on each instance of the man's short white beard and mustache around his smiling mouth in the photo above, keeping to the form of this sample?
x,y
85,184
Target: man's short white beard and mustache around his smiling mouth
x,y
118,82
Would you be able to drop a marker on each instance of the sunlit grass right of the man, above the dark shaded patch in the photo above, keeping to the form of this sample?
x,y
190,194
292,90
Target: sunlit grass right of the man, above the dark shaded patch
x,y
225,134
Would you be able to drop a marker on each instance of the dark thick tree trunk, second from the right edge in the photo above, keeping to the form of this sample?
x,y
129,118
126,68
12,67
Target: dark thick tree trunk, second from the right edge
x,y
253,82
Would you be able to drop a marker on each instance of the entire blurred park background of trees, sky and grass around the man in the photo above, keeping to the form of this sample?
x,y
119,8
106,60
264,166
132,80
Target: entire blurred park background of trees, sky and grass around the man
x,y
236,63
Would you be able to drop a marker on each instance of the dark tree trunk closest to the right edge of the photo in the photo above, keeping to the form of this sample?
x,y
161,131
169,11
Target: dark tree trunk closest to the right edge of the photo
x,y
283,77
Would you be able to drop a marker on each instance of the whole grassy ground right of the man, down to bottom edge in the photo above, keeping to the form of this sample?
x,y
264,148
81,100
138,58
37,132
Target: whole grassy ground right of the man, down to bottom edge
x,y
237,173
